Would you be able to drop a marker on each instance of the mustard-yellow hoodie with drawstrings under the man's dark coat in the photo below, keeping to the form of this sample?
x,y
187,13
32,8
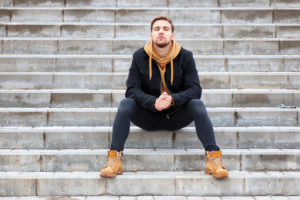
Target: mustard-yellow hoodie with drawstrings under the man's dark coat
x,y
162,62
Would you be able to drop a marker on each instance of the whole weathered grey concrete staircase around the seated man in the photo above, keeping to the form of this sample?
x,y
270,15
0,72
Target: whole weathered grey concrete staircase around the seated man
x,y
63,65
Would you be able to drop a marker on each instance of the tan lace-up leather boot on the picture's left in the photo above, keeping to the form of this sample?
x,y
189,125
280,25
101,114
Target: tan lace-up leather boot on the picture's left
x,y
113,164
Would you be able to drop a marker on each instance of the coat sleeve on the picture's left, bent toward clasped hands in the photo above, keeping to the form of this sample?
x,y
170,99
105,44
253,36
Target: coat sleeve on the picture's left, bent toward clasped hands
x,y
134,89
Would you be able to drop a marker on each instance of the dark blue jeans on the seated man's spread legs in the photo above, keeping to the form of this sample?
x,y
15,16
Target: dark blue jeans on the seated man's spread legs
x,y
130,110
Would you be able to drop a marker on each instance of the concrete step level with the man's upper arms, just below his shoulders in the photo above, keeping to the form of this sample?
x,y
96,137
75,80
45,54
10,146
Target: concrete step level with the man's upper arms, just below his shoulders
x,y
121,63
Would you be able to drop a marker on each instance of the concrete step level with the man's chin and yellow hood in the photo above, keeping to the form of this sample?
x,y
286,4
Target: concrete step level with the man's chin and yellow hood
x,y
261,46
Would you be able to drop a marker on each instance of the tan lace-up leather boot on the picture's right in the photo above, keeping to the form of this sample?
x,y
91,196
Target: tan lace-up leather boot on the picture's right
x,y
214,165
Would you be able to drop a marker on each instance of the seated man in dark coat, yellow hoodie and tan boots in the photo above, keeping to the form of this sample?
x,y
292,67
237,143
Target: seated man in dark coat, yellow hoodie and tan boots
x,y
163,93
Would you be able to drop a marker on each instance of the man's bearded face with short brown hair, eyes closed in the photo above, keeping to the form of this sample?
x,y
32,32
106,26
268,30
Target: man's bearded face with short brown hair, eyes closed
x,y
161,34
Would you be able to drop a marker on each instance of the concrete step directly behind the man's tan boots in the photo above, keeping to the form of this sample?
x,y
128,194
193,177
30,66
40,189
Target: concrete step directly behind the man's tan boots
x,y
147,160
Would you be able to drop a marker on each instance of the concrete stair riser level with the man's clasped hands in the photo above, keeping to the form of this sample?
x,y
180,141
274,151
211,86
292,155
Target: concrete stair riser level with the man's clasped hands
x,y
93,100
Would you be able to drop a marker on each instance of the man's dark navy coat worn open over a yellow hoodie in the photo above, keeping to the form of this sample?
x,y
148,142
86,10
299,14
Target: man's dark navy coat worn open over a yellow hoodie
x,y
186,84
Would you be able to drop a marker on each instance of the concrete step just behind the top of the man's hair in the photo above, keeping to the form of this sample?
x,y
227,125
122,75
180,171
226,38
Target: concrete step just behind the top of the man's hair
x,y
130,14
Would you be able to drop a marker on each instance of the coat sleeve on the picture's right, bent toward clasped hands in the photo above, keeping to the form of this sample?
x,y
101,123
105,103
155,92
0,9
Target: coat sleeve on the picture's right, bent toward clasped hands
x,y
191,83
